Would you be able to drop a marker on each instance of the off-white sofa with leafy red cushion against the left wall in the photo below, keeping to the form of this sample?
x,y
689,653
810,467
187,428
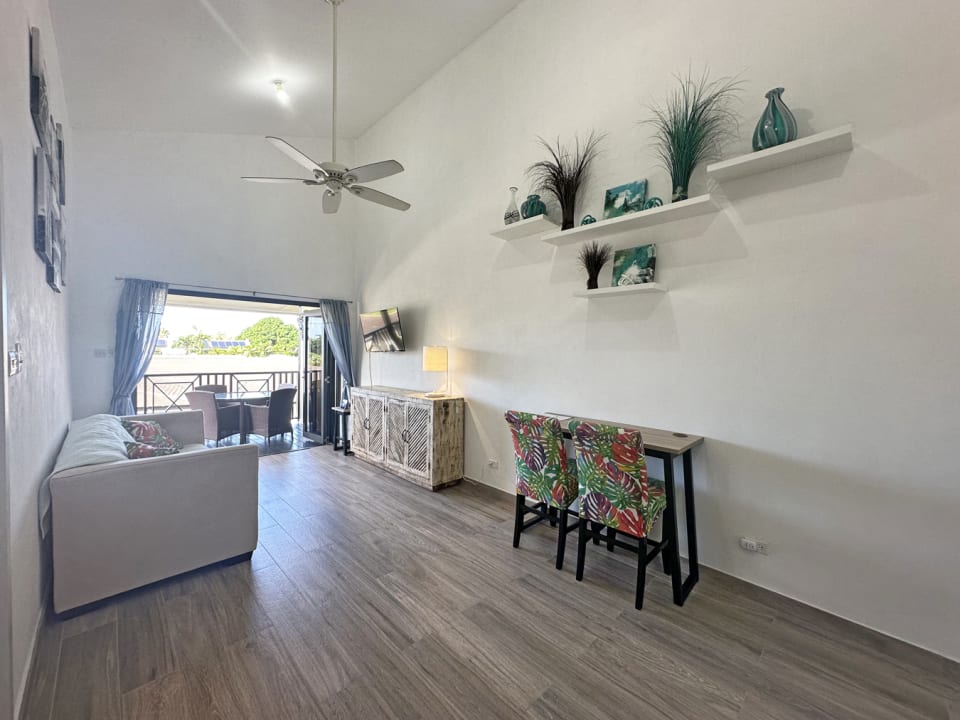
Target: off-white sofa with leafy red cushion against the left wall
x,y
120,525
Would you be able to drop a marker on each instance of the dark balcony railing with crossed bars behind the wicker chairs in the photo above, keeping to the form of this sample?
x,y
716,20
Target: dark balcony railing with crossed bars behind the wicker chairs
x,y
166,392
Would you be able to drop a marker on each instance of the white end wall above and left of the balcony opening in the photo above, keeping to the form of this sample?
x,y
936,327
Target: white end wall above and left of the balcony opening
x,y
172,207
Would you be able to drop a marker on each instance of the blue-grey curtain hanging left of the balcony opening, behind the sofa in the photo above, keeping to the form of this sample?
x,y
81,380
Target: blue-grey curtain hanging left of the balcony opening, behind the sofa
x,y
138,327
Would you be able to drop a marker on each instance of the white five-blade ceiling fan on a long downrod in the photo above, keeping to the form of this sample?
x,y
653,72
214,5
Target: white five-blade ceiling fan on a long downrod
x,y
332,176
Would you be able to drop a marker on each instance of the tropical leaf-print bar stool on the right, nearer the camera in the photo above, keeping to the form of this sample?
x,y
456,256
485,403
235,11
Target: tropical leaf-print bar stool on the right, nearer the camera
x,y
616,493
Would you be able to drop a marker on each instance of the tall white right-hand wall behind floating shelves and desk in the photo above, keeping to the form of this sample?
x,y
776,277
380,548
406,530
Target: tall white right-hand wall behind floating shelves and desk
x,y
810,331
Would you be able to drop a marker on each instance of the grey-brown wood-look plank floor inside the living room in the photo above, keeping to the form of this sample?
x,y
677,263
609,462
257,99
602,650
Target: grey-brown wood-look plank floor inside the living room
x,y
371,598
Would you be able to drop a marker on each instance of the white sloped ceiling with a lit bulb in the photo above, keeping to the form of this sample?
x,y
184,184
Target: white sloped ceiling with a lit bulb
x,y
206,65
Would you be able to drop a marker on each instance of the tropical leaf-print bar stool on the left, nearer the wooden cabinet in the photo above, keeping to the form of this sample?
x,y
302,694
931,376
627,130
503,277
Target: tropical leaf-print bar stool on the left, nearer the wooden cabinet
x,y
543,475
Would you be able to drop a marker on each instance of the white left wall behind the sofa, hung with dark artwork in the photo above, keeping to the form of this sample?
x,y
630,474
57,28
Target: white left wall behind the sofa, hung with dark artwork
x,y
37,400
